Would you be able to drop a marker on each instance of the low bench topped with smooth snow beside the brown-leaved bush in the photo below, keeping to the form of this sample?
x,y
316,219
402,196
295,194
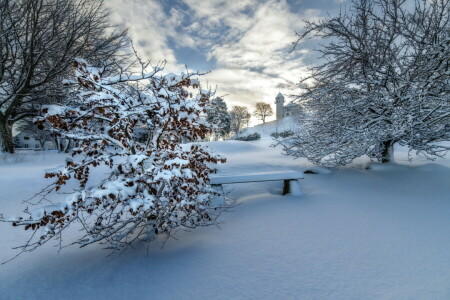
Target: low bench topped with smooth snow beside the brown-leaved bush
x,y
291,185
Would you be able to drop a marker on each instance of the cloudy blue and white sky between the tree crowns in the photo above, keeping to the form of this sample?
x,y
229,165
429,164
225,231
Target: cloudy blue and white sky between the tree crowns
x,y
243,44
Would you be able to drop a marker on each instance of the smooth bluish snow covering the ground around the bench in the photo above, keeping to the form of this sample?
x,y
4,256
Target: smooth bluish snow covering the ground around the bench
x,y
382,233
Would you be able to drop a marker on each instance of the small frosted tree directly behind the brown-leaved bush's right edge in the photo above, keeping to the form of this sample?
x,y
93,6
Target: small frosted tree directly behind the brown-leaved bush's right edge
x,y
219,117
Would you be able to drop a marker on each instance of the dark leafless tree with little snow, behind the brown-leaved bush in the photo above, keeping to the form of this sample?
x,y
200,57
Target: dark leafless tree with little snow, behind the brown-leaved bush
x,y
39,40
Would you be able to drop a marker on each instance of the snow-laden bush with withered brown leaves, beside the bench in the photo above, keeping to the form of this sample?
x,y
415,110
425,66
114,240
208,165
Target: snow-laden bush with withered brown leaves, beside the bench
x,y
154,185
